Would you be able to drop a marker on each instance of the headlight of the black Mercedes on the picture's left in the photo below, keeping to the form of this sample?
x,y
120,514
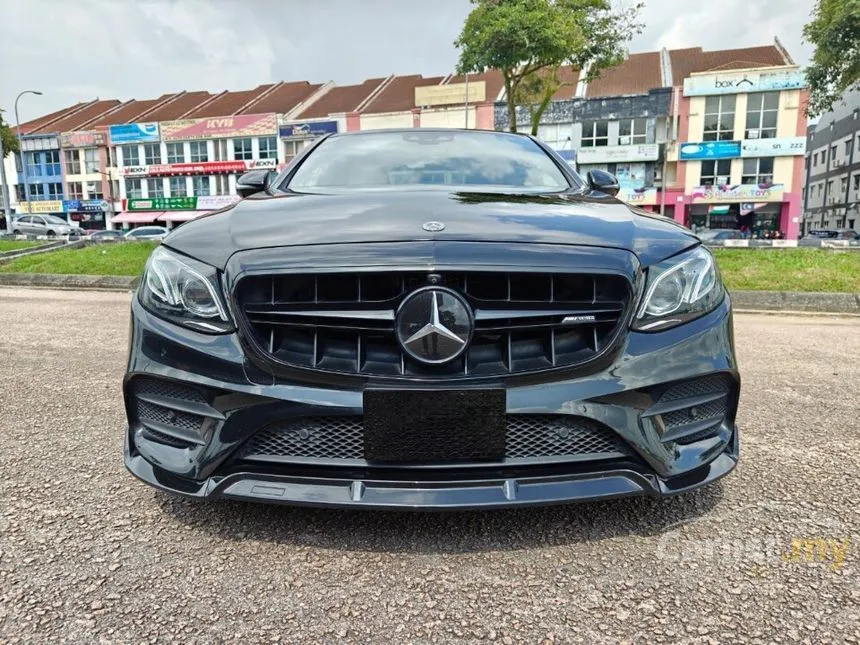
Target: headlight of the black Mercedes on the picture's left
x,y
183,291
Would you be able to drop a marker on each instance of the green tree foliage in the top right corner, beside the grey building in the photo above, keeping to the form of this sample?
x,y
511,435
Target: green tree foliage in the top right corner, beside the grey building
x,y
835,66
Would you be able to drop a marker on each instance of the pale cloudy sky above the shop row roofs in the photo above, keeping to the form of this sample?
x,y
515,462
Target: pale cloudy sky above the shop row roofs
x,y
83,49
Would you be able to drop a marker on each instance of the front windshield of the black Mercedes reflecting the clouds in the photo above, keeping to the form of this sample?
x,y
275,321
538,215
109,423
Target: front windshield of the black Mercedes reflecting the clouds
x,y
476,161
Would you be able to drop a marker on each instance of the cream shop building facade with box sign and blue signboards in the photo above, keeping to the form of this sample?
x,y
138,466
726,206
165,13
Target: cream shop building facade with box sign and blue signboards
x,y
741,151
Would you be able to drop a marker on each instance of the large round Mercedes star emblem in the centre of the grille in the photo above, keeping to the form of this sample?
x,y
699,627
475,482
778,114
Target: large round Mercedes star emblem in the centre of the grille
x,y
434,325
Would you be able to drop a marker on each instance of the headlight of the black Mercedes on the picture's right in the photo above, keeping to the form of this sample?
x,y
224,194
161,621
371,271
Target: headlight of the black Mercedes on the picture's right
x,y
680,289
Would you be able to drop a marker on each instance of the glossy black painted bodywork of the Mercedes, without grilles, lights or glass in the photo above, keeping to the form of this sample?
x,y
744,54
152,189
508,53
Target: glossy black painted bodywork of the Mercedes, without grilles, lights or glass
x,y
279,229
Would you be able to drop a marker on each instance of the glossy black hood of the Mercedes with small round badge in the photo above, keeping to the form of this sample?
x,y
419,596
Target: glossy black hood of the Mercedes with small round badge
x,y
398,216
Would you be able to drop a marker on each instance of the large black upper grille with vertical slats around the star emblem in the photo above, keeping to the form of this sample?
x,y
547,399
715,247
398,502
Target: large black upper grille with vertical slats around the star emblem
x,y
344,323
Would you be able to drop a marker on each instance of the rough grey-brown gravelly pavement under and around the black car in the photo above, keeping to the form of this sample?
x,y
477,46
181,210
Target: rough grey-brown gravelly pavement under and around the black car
x,y
88,554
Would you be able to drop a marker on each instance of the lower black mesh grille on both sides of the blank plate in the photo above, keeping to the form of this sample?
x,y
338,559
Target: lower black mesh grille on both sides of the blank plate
x,y
529,437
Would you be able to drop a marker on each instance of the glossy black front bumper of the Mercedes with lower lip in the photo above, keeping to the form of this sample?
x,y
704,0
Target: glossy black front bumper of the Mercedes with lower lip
x,y
621,397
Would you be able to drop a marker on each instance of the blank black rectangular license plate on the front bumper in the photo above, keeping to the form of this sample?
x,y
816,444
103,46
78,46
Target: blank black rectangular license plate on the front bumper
x,y
440,426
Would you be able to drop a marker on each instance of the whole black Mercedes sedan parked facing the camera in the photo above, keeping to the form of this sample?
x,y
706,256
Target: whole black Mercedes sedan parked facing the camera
x,y
430,319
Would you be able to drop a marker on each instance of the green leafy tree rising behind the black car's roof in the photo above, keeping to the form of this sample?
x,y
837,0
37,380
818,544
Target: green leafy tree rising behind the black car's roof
x,y
528,41
